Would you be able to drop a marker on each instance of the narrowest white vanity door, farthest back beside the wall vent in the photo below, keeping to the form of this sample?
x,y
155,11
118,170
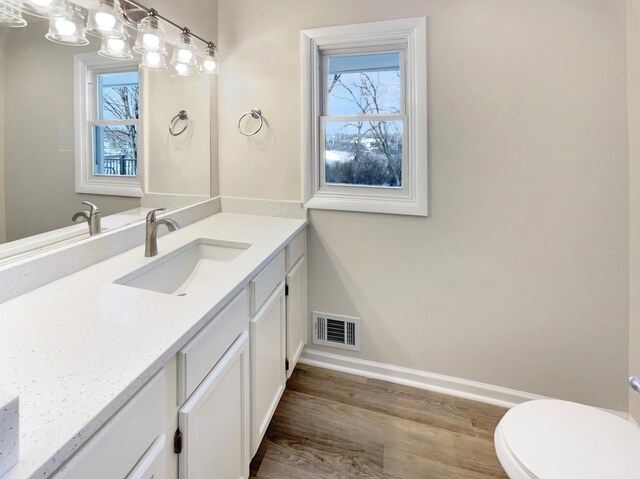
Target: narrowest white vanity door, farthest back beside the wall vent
x,y
296,313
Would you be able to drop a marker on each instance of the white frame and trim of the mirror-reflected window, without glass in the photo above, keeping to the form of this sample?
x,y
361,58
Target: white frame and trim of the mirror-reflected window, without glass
x,y
85,67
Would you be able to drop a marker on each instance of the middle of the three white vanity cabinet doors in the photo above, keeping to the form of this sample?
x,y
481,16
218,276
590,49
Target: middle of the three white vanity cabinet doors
x,y
268,352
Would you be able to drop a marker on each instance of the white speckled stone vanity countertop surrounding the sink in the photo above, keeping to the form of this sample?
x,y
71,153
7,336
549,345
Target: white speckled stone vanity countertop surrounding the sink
x,y
77,349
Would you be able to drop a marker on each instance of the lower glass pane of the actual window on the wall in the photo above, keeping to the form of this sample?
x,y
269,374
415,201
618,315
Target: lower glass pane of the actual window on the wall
x,y
367,153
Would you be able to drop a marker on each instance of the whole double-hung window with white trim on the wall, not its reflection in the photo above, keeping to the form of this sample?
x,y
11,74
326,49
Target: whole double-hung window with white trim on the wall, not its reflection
x,y
364,117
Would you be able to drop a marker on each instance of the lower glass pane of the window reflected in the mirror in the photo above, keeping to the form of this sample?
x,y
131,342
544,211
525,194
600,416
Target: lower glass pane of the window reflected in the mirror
x,y
115,151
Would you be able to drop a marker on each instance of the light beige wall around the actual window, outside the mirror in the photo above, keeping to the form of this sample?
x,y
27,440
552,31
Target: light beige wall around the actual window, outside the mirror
x,y
519,277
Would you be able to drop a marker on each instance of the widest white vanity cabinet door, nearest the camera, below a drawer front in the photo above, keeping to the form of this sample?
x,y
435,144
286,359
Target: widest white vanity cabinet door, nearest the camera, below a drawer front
x,y
215,420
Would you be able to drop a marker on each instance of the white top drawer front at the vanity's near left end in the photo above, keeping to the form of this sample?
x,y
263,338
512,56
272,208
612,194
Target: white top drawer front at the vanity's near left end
x,y
123,440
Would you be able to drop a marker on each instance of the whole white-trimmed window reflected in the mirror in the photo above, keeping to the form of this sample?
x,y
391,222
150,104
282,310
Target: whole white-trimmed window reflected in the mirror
x,y
107,126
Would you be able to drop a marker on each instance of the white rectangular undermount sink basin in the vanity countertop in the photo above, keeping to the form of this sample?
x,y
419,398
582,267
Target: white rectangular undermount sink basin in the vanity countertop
x,y
185,268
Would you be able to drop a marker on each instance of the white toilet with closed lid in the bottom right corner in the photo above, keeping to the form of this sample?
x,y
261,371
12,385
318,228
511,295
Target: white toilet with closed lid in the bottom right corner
x,y
550,439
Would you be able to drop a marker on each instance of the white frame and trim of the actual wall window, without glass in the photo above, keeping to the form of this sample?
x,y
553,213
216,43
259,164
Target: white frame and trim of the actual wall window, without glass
x,y
316,44
